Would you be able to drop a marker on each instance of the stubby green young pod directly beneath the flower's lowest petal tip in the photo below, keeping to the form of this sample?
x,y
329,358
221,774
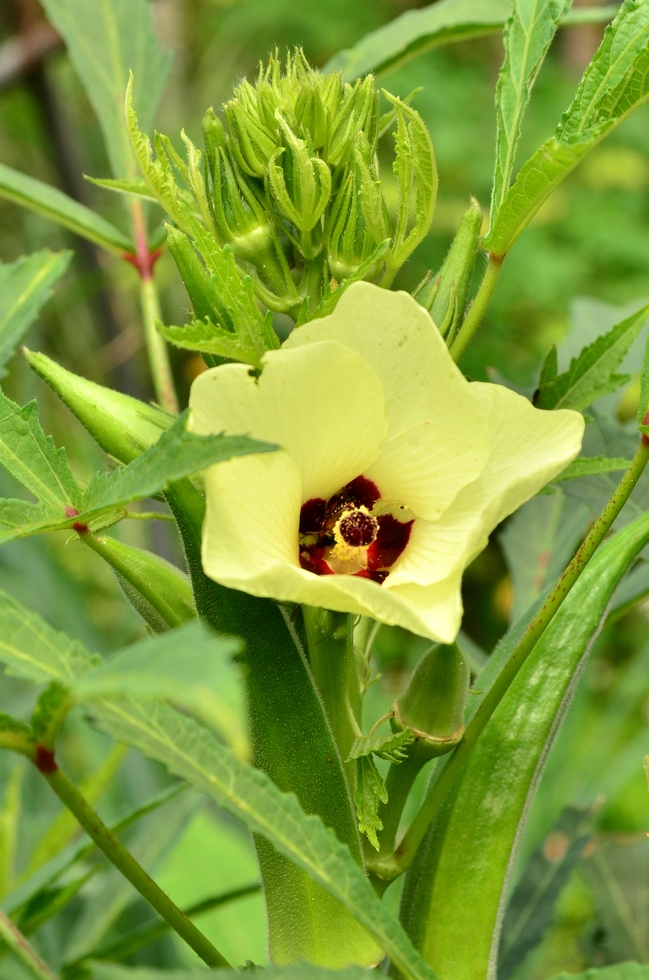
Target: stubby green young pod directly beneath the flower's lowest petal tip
x,y
433,704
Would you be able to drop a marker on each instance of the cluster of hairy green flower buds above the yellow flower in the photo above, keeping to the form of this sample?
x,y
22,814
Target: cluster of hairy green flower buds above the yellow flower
x,y
293,183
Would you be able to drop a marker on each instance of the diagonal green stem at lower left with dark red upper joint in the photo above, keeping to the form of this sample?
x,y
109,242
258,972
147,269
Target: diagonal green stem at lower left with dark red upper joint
x,y
129,867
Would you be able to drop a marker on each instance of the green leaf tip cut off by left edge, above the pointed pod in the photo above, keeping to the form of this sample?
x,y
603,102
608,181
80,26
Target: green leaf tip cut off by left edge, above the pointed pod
x,y
25,285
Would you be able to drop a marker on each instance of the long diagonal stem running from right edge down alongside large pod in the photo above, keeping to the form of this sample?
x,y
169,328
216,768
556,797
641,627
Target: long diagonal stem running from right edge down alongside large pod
x,y
394,865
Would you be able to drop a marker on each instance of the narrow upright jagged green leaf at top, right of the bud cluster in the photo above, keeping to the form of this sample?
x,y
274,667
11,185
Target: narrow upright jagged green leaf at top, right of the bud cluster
x,y
528,34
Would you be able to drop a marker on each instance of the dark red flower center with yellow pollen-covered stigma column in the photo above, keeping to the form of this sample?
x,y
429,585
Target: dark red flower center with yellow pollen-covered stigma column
x,y
346,535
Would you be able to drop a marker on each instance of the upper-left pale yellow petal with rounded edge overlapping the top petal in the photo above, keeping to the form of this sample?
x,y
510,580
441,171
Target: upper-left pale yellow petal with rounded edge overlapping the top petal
x,y
321,403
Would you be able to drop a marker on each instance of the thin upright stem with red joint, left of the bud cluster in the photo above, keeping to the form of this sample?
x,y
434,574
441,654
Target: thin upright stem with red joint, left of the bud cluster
x,y
156,346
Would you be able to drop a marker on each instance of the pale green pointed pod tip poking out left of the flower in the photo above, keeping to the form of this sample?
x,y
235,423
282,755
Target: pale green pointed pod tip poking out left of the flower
x,y
123,426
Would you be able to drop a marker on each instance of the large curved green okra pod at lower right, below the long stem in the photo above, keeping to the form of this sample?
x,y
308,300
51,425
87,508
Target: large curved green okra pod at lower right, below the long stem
x,y
481,822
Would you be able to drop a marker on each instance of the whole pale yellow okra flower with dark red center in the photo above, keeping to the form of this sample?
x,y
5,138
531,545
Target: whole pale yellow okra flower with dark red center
x,y
393,469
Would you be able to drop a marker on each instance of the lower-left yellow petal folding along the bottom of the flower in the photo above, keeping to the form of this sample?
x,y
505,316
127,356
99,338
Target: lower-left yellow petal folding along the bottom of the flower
x,y
250,542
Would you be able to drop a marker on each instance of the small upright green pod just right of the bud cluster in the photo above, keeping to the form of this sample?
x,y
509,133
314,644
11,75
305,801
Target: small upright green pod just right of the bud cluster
x,y
445,294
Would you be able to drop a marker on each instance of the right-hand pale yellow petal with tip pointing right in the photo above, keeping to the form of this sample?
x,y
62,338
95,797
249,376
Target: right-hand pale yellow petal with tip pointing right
x,y
528,448
